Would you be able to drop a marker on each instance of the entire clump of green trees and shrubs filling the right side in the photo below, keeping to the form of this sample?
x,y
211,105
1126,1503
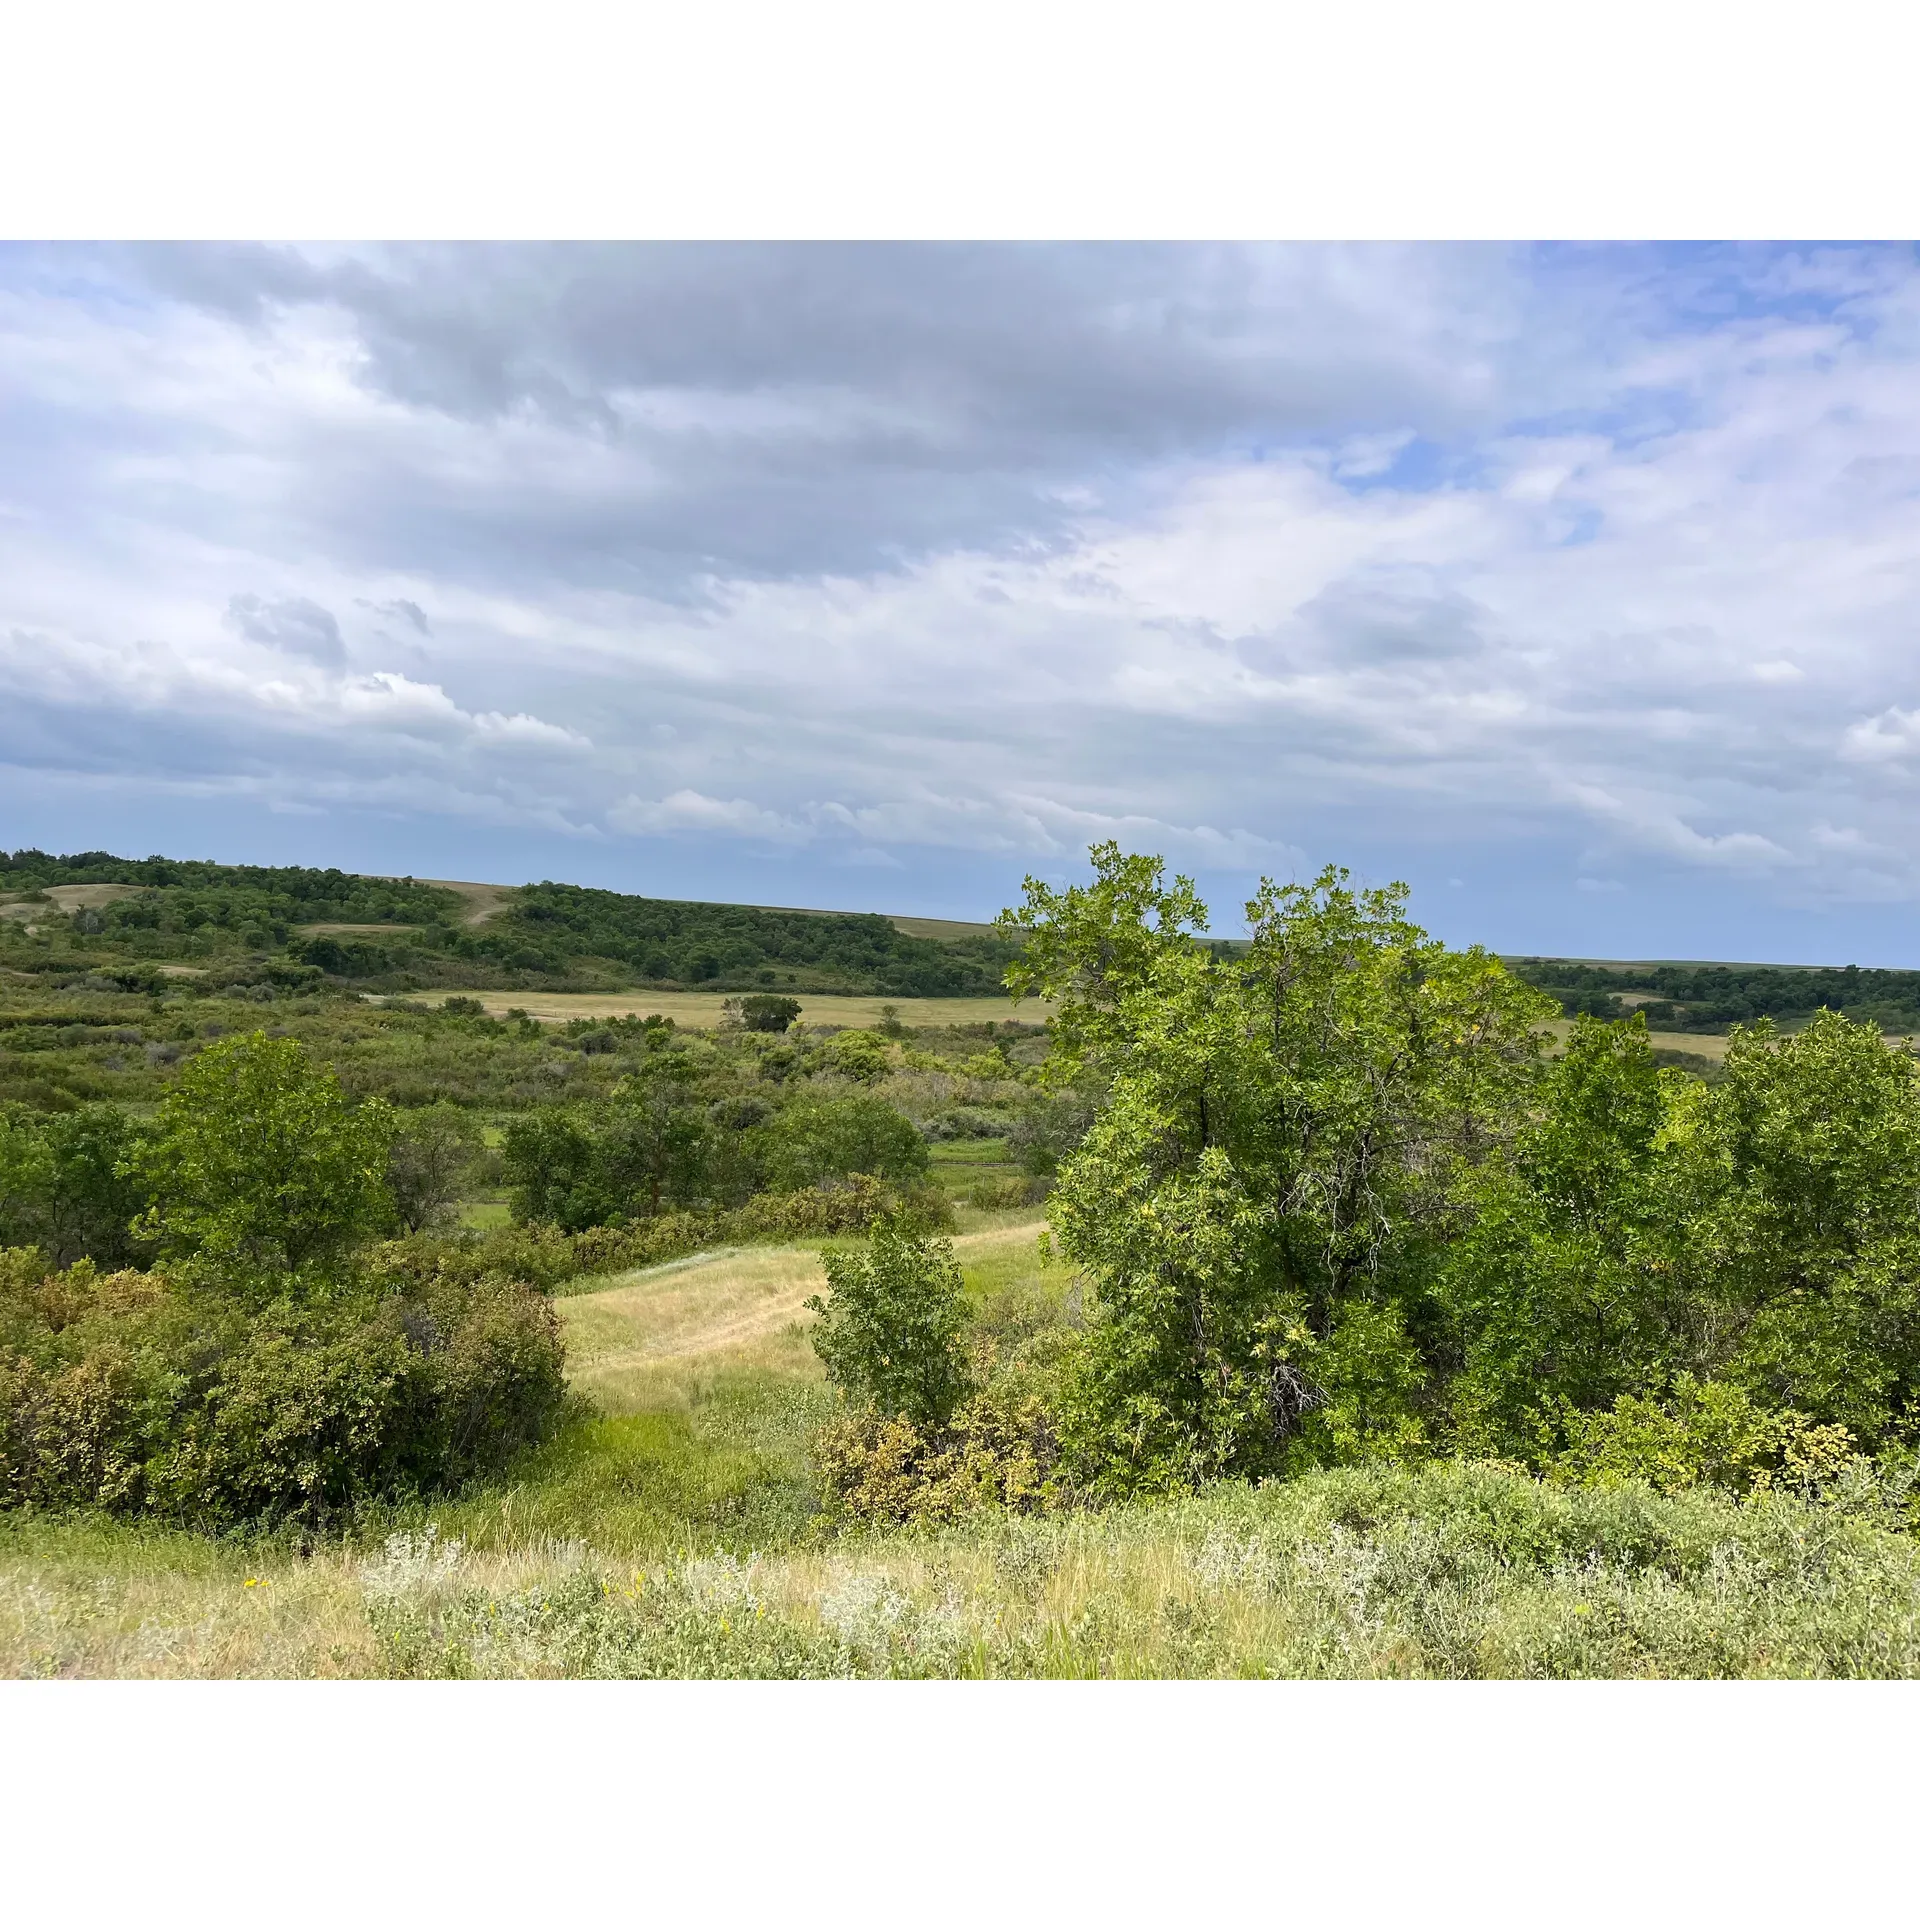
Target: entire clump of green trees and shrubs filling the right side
x,y
1339,1209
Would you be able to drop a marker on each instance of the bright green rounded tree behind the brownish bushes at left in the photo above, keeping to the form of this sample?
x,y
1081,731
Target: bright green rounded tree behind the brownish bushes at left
x,y
260,1166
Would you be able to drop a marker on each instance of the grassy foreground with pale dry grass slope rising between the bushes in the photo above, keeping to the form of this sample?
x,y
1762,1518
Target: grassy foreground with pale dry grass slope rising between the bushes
x,y
679,1535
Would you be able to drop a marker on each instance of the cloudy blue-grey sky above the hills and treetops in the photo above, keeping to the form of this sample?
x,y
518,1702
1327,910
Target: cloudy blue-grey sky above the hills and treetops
x,y
1577,587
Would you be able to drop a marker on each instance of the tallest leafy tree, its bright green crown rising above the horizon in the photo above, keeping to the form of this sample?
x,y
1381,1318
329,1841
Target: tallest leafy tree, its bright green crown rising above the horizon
x,y
1278,1166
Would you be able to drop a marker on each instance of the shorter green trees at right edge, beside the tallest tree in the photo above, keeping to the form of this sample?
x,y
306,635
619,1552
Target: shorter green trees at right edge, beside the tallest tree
x,y
1758,1236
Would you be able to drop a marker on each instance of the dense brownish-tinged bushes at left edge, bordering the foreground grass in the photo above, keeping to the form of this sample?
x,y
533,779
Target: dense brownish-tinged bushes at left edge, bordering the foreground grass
x,y
145,1393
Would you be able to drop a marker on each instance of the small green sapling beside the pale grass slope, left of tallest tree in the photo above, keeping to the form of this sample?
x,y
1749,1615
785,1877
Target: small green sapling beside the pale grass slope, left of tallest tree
x,y
892,1326
